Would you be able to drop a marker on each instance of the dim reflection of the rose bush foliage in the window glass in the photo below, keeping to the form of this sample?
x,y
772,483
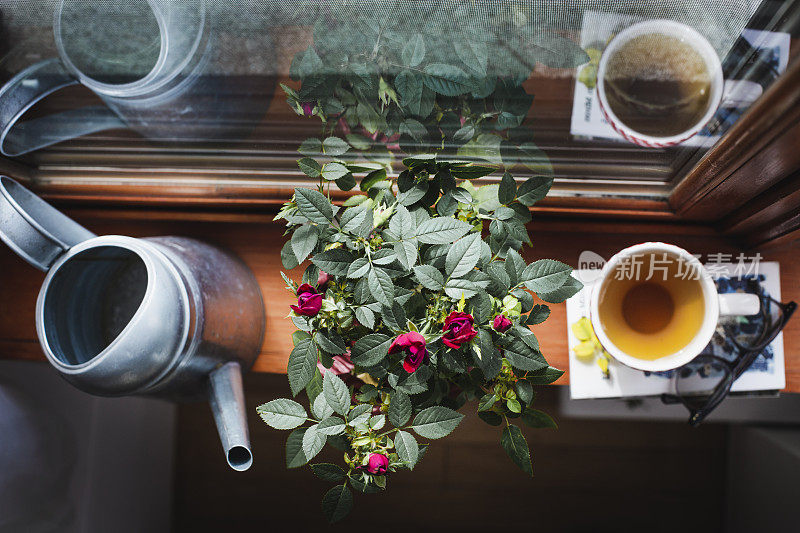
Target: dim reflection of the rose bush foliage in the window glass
x,y
430,76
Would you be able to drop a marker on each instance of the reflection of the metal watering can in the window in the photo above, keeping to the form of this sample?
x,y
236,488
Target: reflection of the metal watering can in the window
x,y
138,56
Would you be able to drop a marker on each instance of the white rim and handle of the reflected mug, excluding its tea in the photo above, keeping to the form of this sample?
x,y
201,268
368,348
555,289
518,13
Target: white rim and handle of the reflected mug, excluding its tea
x,y
742,92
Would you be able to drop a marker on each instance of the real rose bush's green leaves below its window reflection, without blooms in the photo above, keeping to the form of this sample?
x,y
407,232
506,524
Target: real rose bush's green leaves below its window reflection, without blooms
x,y
401,256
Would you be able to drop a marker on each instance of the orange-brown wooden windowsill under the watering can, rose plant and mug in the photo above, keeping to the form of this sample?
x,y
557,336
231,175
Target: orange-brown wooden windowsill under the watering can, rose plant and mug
x,y
258,241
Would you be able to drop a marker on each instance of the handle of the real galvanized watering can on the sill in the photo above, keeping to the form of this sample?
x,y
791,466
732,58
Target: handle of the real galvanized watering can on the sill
x,y
35,230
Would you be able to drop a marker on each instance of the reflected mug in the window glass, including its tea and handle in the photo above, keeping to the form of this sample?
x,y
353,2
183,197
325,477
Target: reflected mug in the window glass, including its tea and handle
x,y
659,83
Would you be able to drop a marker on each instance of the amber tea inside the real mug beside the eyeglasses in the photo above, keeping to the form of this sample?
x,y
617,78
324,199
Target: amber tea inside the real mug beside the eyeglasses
x,y
652,306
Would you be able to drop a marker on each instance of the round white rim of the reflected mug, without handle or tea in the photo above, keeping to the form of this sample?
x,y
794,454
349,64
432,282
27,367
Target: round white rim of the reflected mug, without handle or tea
x,y
698,42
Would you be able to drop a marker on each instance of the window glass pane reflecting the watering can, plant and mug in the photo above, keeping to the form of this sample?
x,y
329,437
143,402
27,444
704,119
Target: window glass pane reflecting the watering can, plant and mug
x,y
192,91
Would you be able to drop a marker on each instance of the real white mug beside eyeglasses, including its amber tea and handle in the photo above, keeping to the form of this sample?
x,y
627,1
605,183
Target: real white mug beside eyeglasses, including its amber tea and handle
x,y
655,307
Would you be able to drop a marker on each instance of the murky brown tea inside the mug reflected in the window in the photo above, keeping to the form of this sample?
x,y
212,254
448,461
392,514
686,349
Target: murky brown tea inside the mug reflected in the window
x,y
658,85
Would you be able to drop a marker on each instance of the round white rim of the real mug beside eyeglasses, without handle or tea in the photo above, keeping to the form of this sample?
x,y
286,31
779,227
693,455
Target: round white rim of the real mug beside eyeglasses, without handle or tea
x,y
700,340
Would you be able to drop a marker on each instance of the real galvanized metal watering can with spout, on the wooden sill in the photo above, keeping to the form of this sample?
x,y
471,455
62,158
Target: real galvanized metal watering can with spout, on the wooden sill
x,y
169,317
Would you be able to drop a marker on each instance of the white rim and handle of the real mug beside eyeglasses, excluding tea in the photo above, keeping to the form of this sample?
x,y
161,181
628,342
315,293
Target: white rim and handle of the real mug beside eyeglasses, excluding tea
x,y
716,305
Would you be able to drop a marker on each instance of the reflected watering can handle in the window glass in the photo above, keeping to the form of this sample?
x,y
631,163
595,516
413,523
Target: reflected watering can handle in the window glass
x,y
27,88
